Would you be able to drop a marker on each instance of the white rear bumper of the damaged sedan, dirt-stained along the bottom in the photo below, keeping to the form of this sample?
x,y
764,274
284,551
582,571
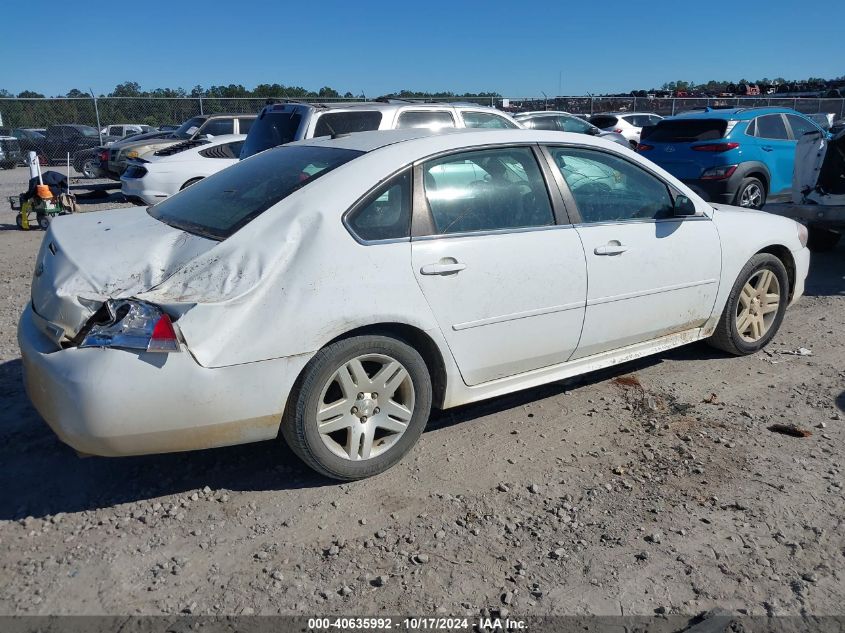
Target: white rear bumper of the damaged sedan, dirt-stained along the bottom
x,y
115,402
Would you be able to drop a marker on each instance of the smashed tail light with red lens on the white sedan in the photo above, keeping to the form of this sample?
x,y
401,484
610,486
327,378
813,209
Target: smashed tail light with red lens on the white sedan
x,y
130,324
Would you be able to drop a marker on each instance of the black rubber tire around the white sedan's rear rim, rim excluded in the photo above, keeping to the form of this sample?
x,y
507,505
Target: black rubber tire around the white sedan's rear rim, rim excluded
x,y
299,425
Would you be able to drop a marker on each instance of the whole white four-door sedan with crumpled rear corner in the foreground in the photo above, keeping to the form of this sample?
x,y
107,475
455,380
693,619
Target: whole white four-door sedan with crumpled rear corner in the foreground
x,y
332,291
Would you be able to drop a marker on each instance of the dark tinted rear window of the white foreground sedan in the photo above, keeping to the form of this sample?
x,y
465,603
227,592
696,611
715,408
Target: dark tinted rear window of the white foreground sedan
x,y
217,206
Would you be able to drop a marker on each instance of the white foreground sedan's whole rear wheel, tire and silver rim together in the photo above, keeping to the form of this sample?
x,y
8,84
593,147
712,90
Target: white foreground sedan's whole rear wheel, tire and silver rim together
x,y
359,407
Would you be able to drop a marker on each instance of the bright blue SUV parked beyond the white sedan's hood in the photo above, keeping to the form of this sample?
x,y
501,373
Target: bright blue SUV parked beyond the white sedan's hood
x,y
739,156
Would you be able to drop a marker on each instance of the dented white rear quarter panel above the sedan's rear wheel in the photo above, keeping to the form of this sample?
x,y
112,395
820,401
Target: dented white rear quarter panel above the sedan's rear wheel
x,y
294,278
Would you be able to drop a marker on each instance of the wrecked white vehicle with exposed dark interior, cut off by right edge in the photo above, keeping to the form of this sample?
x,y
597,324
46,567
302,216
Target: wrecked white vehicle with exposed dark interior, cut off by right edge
x,y
818,189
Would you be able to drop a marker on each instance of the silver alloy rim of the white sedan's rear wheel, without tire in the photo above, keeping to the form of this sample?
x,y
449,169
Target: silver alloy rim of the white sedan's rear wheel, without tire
x,y
365,407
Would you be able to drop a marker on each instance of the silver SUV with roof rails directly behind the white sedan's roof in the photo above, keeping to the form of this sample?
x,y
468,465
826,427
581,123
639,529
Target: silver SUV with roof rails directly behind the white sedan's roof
x,y
282,123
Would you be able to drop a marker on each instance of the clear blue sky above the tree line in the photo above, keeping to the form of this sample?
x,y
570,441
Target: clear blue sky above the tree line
x,y
375,47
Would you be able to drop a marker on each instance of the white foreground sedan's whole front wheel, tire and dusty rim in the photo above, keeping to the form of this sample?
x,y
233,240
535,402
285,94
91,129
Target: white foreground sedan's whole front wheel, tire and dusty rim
x,y
755,307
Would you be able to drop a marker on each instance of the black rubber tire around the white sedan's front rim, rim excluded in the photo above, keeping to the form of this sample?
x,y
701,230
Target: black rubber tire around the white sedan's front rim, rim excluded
x,y
726,337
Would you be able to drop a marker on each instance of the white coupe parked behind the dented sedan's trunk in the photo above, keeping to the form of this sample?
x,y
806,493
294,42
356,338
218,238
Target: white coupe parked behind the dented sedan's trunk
x,y
159,174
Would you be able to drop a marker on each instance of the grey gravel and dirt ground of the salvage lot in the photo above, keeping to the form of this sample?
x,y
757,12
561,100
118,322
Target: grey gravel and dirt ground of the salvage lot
x,y
654,488
